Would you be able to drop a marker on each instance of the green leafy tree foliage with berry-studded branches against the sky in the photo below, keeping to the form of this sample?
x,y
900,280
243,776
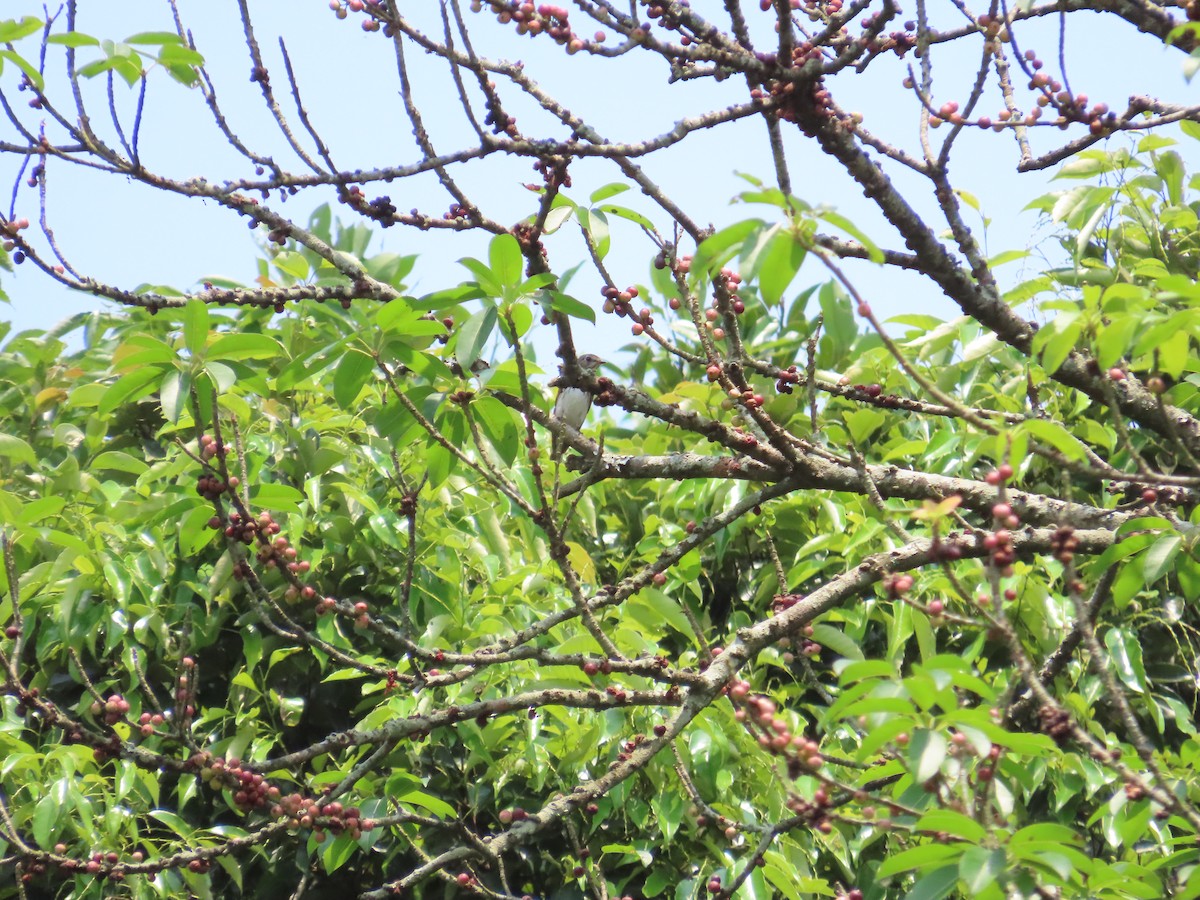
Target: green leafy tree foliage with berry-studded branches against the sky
x,y
298,602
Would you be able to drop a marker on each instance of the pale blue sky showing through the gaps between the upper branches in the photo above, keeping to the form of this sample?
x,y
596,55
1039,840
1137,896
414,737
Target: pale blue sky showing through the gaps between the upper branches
x,y
128,235
